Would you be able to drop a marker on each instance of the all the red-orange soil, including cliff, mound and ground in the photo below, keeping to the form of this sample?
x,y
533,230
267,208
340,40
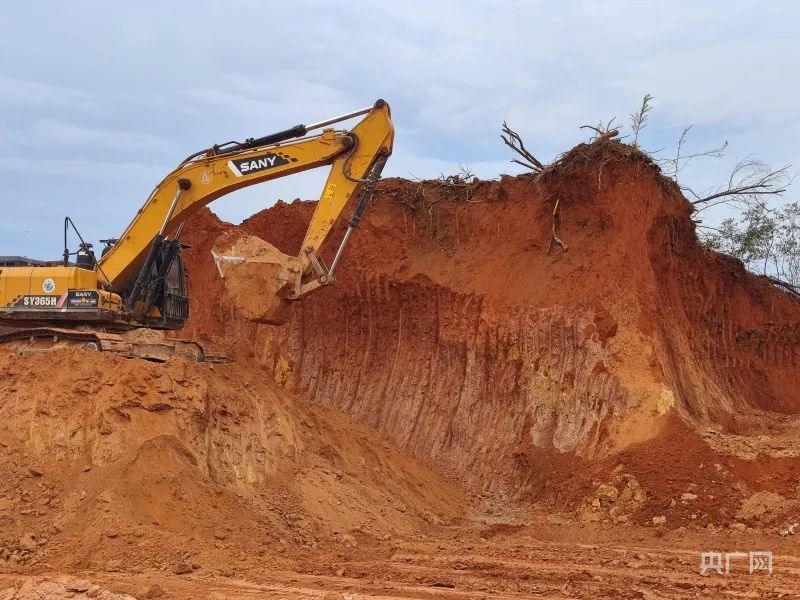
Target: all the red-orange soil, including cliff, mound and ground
x,y
515,414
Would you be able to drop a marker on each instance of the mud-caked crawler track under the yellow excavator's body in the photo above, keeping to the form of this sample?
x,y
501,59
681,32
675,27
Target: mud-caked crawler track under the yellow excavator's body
x,y
151,346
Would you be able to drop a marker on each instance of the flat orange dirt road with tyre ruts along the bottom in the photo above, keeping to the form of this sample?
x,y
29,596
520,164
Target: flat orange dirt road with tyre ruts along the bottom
x,y
489,561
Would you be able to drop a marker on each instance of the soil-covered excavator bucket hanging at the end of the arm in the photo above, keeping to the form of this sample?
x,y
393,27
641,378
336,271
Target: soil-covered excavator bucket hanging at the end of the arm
x,y
256,274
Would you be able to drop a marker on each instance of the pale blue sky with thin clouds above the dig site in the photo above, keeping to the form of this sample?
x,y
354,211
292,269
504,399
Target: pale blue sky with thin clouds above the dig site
x,y
100,100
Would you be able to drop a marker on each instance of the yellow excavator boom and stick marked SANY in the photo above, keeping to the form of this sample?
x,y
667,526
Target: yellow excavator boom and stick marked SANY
x,y
356,158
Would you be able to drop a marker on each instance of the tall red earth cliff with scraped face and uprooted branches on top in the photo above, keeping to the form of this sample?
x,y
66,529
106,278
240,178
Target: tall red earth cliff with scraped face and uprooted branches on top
x,y
459,329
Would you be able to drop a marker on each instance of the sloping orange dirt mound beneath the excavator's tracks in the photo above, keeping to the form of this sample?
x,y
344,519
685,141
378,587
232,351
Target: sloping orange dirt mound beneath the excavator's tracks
x,y
108,463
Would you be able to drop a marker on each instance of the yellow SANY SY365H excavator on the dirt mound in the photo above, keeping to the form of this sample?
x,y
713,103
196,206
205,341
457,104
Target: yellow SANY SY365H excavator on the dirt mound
x,y
138,285
